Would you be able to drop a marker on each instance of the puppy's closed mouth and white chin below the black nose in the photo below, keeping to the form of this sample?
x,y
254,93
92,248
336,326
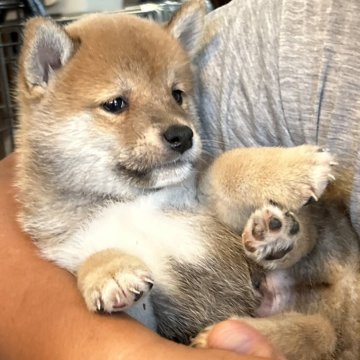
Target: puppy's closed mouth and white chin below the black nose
x,y
153,177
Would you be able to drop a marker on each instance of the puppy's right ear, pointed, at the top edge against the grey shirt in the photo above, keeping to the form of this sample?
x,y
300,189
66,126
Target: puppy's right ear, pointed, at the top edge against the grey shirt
x,y
187,25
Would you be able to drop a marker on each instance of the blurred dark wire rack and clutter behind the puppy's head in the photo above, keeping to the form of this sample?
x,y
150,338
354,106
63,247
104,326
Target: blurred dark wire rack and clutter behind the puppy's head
x,y
12,15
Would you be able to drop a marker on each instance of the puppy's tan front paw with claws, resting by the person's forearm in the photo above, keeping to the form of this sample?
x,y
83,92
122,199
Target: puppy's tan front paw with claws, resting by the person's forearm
x,y
113,281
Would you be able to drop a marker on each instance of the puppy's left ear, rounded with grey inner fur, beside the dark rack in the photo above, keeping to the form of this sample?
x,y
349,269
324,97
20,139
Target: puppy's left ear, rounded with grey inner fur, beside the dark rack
x,y
47,47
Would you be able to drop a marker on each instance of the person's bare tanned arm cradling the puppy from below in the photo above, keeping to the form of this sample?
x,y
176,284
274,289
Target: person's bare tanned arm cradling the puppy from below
x,y
43,315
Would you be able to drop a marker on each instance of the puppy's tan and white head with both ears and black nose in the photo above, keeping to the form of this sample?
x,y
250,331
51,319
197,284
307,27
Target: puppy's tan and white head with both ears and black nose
x,y
106,103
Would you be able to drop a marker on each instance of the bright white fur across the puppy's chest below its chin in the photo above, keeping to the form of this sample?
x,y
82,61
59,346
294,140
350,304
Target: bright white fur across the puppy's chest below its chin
x,y
141,228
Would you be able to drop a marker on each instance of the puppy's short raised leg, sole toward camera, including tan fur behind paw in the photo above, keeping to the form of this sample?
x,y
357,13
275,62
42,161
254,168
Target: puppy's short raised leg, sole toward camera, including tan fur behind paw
x,y
277,238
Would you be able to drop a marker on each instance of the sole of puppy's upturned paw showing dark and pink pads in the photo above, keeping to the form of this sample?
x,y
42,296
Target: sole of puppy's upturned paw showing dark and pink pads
x,y
270,235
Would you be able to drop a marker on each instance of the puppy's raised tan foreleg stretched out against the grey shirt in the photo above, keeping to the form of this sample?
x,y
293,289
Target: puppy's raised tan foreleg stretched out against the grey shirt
x,y
242,180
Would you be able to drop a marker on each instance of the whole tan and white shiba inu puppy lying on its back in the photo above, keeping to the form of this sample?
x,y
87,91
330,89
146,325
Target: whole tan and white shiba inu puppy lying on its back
x,y
114,188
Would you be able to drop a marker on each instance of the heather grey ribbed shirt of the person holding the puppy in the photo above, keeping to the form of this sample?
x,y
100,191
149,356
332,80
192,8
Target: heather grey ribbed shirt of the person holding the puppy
x,y
284,73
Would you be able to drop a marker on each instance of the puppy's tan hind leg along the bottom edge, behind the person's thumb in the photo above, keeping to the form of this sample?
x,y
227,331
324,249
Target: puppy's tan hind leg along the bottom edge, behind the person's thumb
x,y
297,336
